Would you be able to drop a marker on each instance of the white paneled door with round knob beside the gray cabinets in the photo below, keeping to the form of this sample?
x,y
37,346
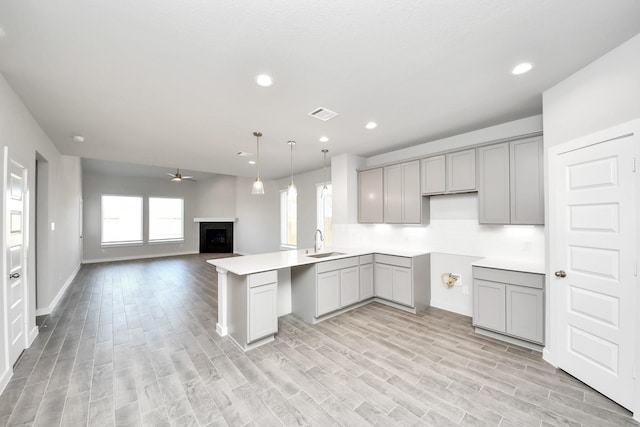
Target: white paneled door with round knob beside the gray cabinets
x,y
593,254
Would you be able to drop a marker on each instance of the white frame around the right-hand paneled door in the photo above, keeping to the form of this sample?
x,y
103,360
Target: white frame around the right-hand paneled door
x,y
553,340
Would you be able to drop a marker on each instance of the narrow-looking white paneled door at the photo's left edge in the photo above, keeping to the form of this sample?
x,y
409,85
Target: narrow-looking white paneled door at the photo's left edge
x,y
15,196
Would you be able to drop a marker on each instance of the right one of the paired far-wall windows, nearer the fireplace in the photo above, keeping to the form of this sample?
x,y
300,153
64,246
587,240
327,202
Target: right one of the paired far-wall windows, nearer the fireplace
x,y
166,220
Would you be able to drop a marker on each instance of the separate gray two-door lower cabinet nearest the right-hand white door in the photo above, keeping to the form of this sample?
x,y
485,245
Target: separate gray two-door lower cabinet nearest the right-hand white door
x,y
509,302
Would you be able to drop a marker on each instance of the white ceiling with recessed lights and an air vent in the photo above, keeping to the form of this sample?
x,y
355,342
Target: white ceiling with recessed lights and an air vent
x,y
171,82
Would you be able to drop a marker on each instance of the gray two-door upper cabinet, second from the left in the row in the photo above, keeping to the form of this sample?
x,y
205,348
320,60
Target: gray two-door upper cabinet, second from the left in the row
x,y
402,198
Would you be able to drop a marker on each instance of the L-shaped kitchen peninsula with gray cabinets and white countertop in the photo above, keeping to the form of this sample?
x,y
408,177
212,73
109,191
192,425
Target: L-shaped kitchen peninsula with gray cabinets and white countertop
x,y
317,286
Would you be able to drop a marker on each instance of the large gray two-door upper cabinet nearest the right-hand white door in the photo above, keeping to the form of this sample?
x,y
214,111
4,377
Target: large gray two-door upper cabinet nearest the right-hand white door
x,y
510,183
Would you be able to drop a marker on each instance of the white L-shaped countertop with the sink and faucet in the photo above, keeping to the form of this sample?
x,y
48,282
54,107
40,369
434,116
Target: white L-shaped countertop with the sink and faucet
x,y
249,264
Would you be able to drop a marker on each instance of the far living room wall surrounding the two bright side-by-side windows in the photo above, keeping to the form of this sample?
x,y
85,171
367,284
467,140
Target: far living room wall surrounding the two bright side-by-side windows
x,y
95,185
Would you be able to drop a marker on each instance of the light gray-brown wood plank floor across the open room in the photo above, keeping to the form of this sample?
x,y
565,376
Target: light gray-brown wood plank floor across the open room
x,y
134,343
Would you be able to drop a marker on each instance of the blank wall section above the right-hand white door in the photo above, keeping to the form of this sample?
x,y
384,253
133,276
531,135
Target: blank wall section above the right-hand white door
x,y
603,94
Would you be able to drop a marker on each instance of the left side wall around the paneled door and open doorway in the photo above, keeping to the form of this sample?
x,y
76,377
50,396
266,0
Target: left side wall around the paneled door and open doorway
x,y
23,137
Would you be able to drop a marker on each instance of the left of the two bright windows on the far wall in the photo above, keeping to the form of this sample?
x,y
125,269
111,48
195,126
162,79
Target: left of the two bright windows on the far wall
x,y
121,220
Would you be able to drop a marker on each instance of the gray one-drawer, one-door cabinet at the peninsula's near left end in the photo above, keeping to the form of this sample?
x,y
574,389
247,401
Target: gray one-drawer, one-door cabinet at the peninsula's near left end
x,y
253,314
